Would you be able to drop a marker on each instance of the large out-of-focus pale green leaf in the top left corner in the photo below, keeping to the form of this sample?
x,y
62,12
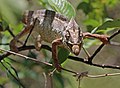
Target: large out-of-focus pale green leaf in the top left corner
x,y
10,10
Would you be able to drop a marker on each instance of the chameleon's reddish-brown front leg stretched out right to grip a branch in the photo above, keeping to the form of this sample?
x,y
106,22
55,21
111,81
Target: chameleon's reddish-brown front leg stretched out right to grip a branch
x,y
102,38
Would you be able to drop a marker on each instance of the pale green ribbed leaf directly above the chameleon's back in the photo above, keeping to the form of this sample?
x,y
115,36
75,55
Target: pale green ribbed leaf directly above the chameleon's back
x,y
63,7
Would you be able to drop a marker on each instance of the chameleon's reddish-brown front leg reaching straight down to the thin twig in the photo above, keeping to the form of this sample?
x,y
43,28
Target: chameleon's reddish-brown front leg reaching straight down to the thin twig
x,y
55,44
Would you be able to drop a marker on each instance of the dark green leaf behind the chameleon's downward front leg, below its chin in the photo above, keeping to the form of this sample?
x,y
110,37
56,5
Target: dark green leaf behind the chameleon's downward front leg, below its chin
x,y
62,54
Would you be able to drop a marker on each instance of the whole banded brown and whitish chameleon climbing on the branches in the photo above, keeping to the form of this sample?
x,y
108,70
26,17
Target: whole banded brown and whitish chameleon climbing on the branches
x,y
56,29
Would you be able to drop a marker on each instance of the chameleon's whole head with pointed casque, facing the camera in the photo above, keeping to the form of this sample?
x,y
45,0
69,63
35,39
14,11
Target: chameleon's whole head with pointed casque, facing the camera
x,y
72,37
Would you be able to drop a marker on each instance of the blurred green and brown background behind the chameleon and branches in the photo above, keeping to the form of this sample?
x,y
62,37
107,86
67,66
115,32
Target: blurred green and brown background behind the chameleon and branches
x,y
17,72
